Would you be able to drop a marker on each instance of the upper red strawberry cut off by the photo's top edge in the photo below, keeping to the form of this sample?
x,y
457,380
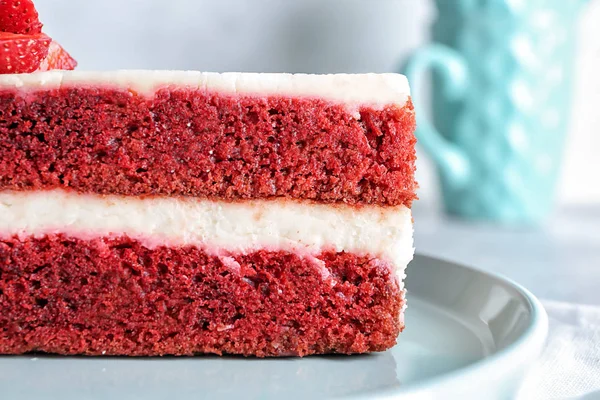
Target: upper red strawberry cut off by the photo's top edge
x,y
19,16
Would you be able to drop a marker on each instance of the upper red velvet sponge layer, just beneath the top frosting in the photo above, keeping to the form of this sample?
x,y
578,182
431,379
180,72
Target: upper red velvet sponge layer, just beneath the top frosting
x,y
187,142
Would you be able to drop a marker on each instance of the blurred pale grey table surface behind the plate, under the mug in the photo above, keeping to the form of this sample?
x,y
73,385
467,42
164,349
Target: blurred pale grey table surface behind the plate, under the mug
x,y
557,261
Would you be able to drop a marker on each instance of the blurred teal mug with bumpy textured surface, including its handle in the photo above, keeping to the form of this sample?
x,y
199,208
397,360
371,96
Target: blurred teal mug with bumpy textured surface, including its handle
x,y
502,87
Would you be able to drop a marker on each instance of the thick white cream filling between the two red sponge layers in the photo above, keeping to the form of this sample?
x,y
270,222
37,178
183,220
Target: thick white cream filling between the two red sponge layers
x,y
384,232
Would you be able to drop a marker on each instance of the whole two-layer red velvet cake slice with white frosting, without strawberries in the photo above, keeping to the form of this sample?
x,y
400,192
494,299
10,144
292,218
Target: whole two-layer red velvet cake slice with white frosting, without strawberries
x,y
165,212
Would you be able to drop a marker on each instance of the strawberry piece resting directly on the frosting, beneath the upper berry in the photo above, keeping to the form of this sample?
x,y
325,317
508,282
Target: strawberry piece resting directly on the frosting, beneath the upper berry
x,y
22,53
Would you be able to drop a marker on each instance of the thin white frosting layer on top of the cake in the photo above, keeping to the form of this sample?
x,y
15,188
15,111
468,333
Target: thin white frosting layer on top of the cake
x,y
353,89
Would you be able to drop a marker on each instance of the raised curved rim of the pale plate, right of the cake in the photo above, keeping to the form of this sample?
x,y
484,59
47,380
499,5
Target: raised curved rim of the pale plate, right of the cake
x,y
525,348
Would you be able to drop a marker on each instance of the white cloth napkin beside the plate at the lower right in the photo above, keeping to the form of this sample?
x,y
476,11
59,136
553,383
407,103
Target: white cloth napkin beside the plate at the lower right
x,y
569,367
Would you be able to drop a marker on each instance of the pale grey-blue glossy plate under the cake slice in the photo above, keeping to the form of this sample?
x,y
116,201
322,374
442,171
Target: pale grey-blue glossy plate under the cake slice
x,y
468,334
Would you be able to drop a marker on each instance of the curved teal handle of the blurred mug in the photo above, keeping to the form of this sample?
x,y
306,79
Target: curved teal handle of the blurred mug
x,y
450,159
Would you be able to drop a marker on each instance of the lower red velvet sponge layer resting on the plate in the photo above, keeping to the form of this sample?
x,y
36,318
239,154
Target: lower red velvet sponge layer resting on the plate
x,y
116,297
